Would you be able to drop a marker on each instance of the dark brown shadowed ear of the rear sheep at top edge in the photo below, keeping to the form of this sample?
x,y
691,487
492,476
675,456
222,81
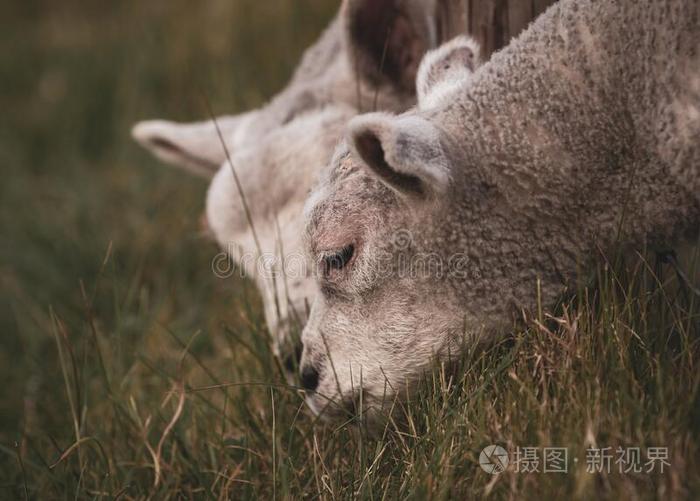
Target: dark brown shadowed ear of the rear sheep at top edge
x,y
388,38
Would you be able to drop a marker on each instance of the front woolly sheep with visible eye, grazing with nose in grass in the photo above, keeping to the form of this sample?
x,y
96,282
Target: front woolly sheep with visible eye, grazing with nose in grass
x,y
445,223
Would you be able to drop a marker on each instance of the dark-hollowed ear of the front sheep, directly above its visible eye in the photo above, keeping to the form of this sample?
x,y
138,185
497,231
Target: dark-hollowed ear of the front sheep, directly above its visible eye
x,y
405,153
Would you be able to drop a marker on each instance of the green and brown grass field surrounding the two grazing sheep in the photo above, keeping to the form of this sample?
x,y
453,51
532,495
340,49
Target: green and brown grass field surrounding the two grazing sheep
x,y
130,371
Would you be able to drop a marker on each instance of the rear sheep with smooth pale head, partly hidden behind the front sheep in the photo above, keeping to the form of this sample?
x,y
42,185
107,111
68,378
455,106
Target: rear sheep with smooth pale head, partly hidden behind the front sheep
x,y
367,59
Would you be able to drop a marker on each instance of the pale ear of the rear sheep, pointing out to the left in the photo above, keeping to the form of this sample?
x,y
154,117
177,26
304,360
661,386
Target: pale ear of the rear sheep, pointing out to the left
x,y
196,147
